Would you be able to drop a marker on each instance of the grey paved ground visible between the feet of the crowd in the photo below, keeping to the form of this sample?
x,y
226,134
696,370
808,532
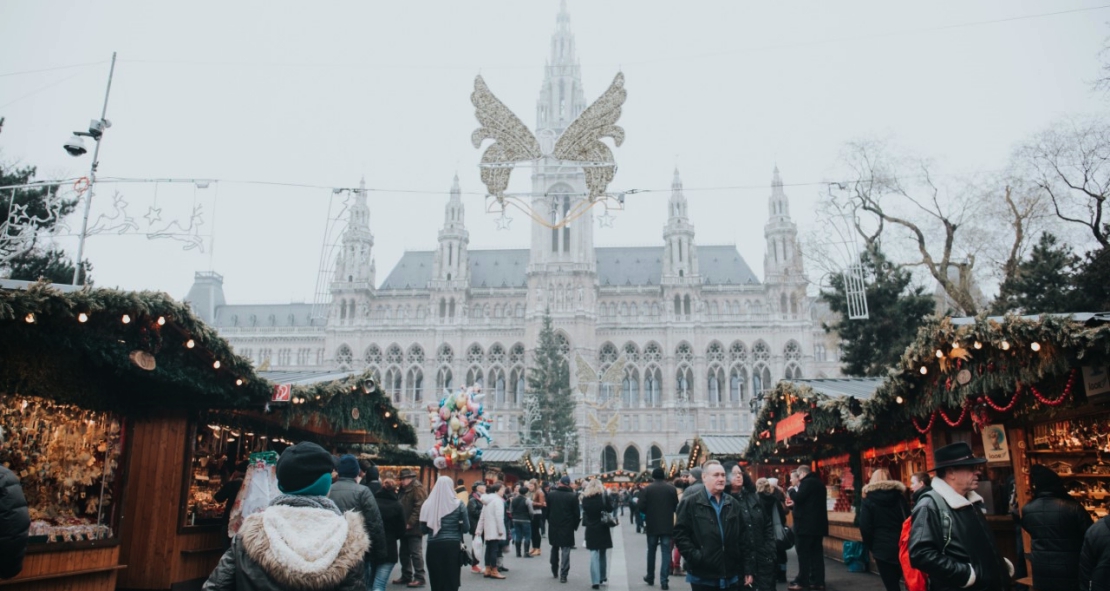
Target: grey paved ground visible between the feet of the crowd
x,y
628,567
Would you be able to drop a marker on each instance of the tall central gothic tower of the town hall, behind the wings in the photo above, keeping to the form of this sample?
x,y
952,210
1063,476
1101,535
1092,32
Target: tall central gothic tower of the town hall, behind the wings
x,y
563,266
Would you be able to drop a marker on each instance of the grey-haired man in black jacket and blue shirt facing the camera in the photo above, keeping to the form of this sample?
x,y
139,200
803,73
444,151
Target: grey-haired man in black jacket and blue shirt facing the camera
x,y
708,534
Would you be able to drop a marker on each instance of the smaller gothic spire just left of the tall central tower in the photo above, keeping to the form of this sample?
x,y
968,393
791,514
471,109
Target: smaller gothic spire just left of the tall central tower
x,y
451,274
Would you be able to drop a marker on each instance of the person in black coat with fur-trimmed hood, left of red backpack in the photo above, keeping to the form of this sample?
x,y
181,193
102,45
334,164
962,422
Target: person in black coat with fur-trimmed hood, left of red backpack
x,y
882,514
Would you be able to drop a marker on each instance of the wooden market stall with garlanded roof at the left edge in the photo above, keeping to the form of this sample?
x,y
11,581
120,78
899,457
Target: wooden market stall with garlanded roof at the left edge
x,y
88,380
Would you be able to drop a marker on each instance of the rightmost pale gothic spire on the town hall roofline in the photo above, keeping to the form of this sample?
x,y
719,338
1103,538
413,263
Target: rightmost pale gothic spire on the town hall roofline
x,y
783,271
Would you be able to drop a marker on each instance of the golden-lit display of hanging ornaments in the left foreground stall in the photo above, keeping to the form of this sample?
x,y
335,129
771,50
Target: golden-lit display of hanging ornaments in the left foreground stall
x,y
67,460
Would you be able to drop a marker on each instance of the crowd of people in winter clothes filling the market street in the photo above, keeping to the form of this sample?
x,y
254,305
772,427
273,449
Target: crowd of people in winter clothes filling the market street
x,y
341,524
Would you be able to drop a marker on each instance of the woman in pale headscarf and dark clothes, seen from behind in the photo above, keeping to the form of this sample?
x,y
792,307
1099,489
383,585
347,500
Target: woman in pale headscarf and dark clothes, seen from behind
x,y
445,519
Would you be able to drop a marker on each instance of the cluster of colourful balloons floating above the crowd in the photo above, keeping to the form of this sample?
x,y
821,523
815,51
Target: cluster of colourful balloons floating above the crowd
x,y
458,424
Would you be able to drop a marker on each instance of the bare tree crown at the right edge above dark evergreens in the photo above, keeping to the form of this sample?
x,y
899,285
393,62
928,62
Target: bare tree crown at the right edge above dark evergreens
x,y
1069,164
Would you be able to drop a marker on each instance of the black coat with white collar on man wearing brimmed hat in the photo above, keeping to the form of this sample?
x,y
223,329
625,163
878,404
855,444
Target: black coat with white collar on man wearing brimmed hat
x,y
972,552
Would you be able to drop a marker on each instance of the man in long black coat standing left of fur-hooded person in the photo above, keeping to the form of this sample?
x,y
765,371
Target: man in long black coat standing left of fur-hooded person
x,y
811,527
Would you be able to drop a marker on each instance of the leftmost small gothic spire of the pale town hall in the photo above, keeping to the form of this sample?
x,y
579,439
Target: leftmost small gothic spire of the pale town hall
x,y
354,284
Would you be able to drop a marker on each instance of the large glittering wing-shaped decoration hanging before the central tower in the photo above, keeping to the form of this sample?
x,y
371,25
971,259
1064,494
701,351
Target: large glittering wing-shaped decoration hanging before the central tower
x,y
580,146
